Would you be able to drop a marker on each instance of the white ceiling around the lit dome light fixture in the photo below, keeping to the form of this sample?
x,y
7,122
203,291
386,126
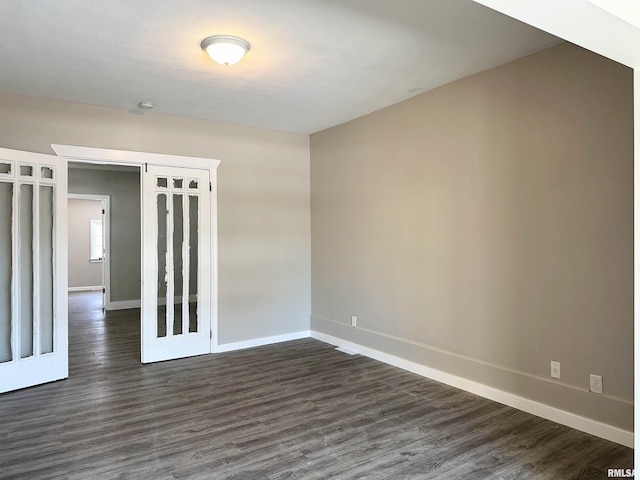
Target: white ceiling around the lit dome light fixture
x,y
312,64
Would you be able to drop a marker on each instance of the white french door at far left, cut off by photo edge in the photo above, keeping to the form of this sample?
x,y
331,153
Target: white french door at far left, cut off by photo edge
x,y
33,269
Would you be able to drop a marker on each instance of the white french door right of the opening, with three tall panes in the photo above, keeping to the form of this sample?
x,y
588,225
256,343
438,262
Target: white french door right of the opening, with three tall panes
x,y
176,266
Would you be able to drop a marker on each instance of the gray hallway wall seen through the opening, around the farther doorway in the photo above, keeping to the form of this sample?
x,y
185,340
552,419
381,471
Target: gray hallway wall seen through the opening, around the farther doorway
x,y
123,189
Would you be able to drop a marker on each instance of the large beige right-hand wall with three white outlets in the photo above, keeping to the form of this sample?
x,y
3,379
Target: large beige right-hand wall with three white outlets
x,y
486,228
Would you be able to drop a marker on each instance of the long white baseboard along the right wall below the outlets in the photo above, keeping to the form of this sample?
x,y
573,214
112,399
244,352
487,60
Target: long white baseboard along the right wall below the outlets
x,y
569,419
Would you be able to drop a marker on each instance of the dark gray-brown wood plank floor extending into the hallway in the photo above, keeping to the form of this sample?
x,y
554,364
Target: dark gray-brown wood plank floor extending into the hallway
x,y
298,410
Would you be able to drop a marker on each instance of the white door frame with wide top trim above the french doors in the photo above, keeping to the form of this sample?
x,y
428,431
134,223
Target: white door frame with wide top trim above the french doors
x,y
124,157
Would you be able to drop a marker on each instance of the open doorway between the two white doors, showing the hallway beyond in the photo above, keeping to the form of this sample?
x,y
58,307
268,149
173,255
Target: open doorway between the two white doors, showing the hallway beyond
x,y
97,316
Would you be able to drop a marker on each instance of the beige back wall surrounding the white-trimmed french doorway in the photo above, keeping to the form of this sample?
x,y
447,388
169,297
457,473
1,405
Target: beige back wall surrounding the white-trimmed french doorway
x,y
263,199
